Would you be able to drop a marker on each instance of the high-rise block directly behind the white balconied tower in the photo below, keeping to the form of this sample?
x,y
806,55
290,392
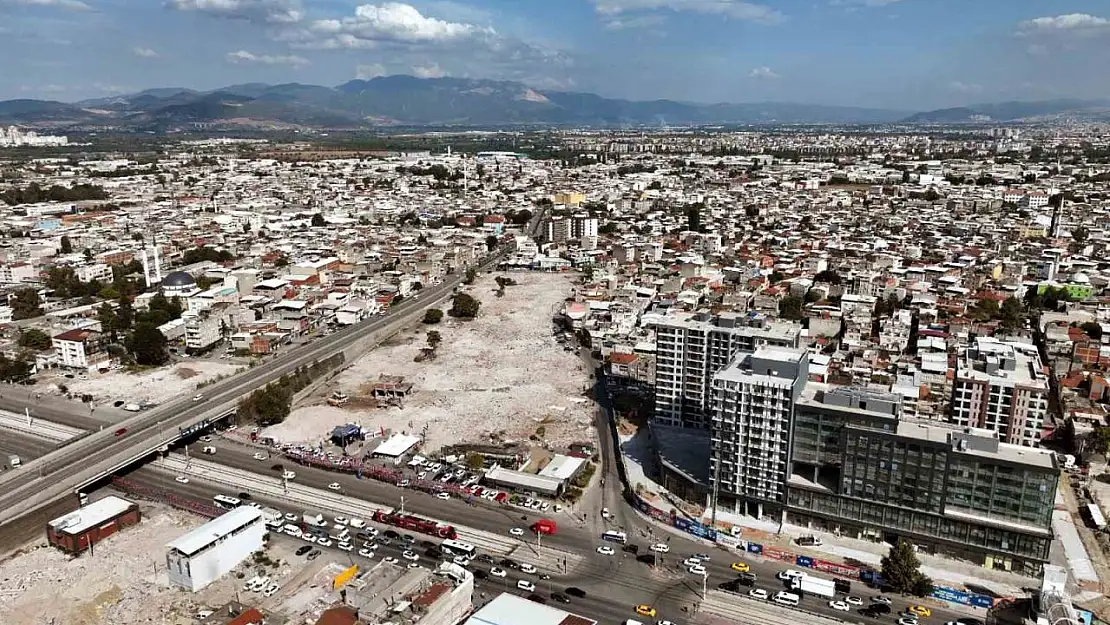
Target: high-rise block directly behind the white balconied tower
x,y
691,349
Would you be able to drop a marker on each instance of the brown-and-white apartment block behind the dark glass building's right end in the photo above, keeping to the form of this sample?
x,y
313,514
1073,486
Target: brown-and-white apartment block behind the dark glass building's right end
x,y
1002,388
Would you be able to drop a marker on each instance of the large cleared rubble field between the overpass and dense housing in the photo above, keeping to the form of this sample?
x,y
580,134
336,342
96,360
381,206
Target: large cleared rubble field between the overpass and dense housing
x,y
502,374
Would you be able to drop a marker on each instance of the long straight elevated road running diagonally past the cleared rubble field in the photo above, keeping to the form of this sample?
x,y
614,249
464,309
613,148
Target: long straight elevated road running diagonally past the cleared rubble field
x,y
87,460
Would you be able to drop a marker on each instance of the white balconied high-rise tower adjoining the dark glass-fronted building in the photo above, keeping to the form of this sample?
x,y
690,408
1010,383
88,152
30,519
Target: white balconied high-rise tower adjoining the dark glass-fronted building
x,y
752,427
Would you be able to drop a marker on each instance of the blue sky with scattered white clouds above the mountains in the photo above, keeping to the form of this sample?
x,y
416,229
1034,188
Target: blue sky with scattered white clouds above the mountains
x,y
910,55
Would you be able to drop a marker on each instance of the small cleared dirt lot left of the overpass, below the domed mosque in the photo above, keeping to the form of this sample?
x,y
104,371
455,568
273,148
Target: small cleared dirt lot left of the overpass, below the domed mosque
x,y
158,386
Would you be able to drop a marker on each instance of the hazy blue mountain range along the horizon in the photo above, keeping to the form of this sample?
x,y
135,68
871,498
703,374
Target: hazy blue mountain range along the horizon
x,y
405,100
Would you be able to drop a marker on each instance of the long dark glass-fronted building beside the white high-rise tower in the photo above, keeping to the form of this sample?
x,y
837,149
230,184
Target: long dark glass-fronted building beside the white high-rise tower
x,y
856,469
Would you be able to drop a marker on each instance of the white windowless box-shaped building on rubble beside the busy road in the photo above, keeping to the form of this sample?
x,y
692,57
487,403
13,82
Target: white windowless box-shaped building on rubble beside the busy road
x,y
201,557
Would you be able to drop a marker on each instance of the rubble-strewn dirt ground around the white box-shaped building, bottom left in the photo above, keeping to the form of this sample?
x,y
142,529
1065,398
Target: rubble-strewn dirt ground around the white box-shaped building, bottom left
x,y
124,583
